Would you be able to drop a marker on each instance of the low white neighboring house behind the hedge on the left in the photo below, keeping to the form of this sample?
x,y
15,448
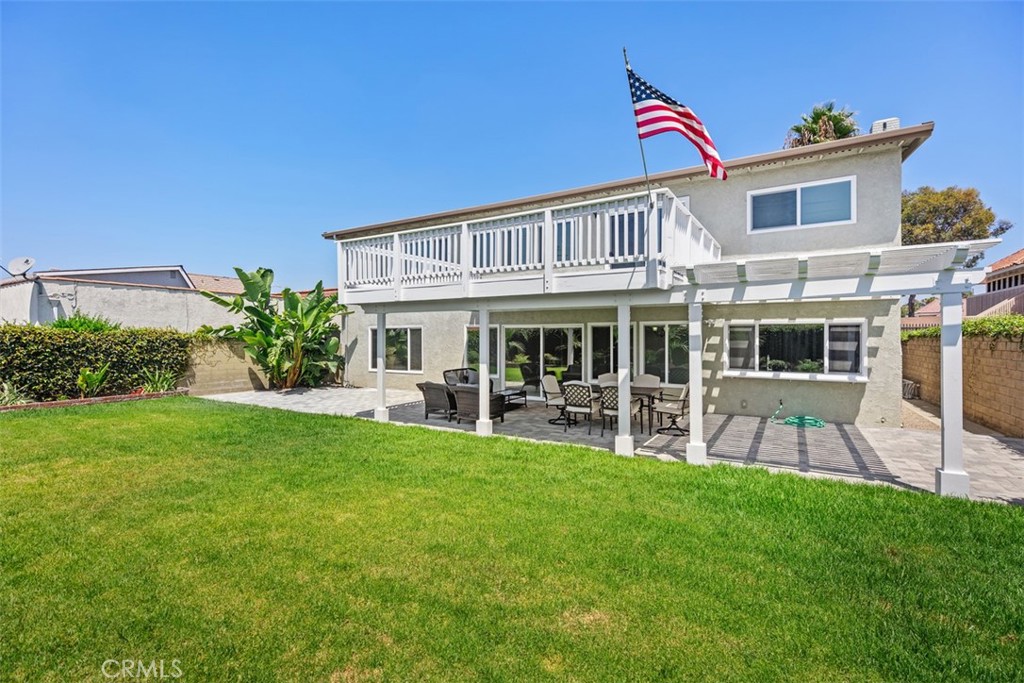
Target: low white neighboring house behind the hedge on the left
x,y
160,296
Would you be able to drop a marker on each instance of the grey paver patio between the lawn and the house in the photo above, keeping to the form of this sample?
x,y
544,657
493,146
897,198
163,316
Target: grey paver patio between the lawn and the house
x,y
906,458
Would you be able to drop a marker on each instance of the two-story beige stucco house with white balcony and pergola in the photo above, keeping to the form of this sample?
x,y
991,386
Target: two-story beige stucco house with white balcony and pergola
x,y
781,284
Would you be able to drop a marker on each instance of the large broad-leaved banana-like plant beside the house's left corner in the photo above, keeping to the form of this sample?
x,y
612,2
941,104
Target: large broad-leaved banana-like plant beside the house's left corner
x,y
294,340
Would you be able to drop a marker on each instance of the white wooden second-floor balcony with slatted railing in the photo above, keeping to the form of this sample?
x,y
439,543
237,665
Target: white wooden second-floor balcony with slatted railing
x,y
616,244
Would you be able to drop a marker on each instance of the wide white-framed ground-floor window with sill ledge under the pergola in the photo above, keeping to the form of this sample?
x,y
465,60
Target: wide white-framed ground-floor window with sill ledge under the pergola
x,y
830,348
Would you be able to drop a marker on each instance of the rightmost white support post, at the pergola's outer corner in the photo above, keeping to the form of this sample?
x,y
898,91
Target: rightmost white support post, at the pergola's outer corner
x,y
952,480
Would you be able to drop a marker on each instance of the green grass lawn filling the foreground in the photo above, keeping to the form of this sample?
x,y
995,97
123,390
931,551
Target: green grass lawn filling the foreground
x,y
261,545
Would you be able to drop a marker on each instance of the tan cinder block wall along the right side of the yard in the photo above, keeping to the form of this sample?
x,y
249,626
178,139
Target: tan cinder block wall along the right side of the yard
x,y
994,379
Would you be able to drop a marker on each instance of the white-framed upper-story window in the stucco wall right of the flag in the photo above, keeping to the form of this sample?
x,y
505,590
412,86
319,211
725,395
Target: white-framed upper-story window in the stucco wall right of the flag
x,y
812,204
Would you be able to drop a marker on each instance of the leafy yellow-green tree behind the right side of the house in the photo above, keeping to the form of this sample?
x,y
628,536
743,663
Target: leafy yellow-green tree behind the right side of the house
x,y
954,215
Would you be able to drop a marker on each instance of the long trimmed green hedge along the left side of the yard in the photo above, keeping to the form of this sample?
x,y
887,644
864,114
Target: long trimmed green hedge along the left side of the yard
x,y
46,362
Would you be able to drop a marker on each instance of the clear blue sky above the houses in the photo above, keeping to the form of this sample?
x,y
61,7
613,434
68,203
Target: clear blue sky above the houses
x,y
223,135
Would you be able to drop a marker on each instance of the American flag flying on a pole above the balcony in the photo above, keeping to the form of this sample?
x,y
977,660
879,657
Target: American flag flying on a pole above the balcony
x,y
658,113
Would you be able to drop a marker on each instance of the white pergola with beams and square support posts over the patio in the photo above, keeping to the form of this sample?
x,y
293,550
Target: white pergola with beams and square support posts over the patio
x,y
831,276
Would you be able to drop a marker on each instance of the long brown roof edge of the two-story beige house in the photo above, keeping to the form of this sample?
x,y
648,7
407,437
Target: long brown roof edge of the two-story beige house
x,y
909,140
